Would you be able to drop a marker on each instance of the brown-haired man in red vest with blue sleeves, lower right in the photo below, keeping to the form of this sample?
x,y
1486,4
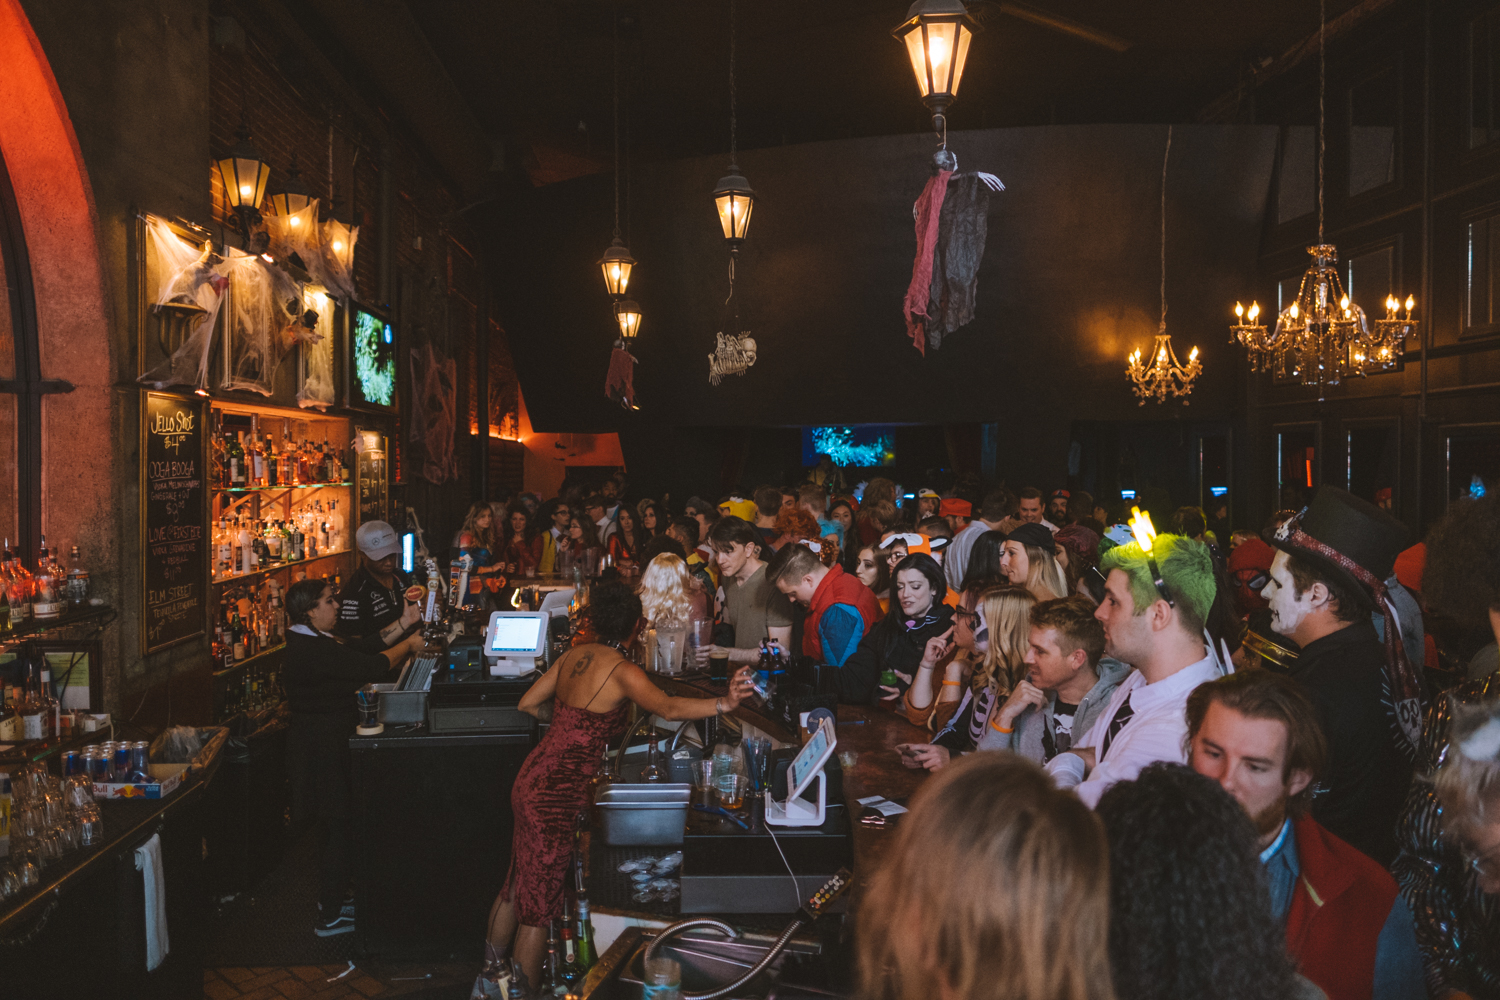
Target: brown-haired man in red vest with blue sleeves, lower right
x,y
1348,927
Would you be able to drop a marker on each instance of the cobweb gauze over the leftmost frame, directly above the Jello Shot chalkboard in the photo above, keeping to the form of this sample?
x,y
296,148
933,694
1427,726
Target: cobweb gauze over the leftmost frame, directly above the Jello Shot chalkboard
x,y
191,277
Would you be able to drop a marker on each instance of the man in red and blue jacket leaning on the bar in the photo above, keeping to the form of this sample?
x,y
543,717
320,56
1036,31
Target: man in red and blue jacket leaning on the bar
x,y
841,609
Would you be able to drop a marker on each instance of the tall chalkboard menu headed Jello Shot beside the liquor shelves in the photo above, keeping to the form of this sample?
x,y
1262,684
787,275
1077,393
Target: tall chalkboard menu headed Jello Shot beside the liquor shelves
x,y
175,551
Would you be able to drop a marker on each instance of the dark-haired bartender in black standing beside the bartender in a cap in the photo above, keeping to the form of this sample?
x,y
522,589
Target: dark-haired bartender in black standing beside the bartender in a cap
x,y
322,678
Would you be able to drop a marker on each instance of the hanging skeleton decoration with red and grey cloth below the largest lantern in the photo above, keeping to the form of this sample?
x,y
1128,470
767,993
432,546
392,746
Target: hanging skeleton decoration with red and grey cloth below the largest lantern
x,y
952,226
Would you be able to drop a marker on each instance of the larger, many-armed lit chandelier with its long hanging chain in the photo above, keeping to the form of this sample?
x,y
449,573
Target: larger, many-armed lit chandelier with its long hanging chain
x,y
1322,337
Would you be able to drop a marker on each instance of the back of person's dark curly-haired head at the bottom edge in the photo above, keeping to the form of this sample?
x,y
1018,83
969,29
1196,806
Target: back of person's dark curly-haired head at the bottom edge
x,y
1190,915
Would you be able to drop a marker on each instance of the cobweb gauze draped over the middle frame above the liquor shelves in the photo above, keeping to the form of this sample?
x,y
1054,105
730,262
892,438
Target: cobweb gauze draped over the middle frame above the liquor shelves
x,y
263,320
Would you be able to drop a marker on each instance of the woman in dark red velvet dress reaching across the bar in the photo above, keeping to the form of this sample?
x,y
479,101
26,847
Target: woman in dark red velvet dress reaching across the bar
x,y
589,692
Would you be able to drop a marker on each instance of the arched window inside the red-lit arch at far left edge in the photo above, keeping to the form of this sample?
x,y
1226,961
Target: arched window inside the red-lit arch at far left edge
x,y
20,386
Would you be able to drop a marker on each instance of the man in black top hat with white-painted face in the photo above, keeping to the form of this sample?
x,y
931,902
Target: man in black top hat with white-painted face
x,y
1328,576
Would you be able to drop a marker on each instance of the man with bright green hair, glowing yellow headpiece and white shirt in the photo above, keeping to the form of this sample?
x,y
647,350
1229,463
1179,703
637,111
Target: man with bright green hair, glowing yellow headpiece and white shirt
x,y
1156,603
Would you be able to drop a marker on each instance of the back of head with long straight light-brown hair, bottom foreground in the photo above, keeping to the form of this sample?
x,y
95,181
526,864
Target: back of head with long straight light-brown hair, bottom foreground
x,y
995,890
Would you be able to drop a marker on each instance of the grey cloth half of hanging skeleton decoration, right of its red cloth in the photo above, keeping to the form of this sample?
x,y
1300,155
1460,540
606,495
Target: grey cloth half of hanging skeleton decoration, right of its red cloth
x,y
962,227
